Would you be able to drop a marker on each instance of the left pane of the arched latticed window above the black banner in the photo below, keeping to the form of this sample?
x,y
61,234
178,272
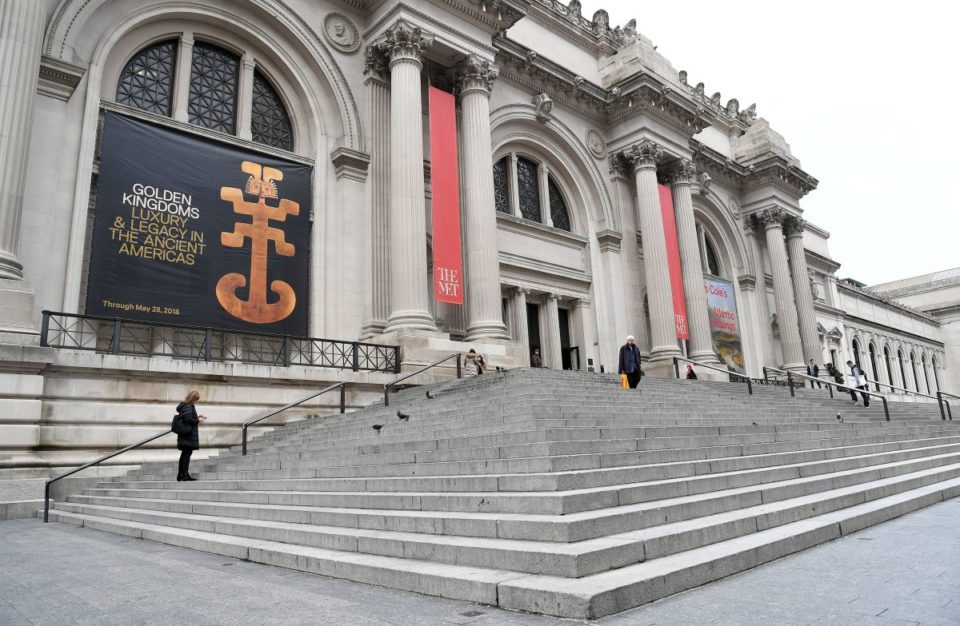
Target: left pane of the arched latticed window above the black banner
x,y
146,82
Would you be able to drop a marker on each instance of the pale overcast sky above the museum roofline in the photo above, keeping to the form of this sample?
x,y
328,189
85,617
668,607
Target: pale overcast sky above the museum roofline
x,y
865,93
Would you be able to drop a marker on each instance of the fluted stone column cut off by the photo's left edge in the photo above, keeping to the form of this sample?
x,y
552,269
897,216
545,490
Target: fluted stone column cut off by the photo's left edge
x,y
21,35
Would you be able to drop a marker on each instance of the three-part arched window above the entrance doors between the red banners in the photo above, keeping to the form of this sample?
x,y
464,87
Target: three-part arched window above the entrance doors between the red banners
x,y
547,206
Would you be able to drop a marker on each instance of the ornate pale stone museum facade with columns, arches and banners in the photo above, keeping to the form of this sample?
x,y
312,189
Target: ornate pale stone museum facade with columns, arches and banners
x,y
597,190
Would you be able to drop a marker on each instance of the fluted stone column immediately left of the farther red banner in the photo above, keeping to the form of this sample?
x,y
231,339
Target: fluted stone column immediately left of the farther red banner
x,y
663,341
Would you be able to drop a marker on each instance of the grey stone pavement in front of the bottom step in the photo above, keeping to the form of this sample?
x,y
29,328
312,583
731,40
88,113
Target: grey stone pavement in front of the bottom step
x,y
906,571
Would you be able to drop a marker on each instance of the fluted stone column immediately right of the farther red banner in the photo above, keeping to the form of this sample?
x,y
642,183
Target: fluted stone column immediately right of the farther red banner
x,y
698,319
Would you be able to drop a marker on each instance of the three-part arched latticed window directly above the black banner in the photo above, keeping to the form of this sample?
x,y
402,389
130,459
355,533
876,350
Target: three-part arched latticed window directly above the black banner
x,y
147,83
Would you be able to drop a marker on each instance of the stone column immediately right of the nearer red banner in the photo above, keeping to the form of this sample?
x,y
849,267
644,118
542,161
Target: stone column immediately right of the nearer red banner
x,y
482,291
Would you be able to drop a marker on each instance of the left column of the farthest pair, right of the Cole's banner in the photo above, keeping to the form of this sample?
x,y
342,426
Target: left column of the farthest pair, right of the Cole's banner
x,y
772,220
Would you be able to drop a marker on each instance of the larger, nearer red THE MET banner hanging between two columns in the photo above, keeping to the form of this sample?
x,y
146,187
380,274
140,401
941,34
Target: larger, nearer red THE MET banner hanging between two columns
x,y
444,178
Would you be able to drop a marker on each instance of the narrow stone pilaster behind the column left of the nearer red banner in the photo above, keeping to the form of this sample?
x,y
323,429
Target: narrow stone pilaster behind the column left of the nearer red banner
x,y
377,299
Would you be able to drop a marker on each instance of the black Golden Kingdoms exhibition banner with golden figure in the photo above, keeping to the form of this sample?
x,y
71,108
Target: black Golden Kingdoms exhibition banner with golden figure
x,y
194,232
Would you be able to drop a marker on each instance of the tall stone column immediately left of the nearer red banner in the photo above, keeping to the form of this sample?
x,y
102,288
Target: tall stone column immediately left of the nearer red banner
x,y
404,44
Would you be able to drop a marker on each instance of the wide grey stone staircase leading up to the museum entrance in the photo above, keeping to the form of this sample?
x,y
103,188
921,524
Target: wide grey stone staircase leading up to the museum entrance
x,y
544,491
